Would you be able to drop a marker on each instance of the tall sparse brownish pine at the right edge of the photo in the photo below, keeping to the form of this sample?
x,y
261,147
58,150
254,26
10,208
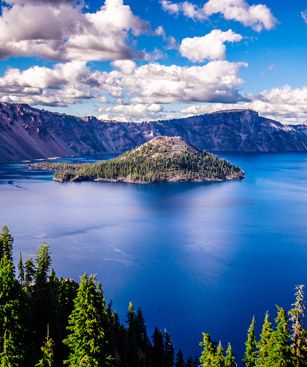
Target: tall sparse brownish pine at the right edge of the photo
x,y
298,337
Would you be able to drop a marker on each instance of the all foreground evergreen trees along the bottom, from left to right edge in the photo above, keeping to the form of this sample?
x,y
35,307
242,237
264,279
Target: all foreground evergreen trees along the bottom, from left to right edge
x,y
48,321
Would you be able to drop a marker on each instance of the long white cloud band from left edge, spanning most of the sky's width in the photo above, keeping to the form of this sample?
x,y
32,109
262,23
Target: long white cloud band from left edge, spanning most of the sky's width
x,y
142,88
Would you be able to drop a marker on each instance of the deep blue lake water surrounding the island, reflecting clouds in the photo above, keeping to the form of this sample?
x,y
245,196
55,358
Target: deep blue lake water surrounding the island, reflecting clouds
x,y
195,257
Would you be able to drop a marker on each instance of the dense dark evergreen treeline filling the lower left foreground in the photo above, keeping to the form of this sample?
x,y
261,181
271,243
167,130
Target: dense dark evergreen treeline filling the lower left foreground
x,y
46,321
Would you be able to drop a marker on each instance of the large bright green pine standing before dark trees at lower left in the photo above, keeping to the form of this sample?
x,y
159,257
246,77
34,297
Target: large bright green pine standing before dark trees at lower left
x,y
86,338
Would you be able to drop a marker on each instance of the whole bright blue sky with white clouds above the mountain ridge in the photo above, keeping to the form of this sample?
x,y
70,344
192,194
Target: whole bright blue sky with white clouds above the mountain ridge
x,y
137,60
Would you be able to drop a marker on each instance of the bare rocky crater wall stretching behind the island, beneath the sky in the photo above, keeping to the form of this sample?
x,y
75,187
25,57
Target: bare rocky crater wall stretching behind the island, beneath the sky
x,y
29,133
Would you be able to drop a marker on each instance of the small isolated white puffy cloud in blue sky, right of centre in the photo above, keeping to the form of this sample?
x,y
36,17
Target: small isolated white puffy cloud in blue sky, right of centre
x,y
209,47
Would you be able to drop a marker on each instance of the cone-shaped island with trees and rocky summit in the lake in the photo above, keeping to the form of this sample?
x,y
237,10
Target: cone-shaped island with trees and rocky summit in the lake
x,y
162,159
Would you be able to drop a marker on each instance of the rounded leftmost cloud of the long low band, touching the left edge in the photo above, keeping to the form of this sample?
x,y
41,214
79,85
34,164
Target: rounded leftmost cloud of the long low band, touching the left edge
x,y
59,86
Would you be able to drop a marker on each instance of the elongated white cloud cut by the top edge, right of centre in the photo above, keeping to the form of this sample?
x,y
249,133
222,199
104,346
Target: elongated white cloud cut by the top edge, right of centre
x,y
258,16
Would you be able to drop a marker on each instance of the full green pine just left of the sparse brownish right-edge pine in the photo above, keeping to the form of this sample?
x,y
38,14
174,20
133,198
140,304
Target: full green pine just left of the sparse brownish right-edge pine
x,y
280,353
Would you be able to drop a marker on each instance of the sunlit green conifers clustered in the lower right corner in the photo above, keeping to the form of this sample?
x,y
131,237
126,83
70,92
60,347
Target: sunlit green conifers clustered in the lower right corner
x,y
282,344
